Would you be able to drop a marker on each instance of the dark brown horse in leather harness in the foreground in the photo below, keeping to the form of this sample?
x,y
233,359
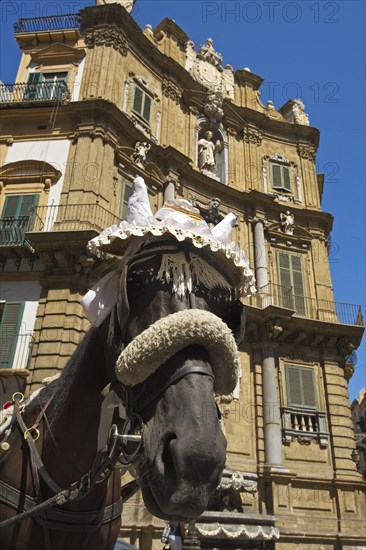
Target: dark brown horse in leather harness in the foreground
x,y
183,448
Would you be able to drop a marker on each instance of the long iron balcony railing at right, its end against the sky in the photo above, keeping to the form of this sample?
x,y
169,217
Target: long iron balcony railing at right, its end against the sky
x,y
308,308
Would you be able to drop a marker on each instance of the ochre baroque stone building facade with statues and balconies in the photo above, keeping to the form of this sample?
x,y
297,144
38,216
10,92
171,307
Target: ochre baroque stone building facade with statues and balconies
x,y
98,100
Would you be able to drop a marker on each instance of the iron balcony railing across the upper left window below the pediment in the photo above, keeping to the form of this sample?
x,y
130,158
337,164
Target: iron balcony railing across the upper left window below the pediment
x,y
43,91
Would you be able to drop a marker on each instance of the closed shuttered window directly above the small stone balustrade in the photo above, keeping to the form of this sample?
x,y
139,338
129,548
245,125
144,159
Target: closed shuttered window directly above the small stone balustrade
x,y
300,387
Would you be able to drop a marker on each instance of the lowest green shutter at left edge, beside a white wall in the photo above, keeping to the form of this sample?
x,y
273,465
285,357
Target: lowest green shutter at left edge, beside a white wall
x,y
9,332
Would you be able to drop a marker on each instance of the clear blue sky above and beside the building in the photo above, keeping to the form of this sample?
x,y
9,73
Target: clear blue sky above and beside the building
x,y
314,50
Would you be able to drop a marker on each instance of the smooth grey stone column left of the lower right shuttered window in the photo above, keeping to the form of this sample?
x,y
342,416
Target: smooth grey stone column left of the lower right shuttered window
x,y
271,408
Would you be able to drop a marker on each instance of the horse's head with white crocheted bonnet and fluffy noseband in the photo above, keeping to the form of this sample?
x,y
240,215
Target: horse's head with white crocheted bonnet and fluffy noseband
x,y
173,332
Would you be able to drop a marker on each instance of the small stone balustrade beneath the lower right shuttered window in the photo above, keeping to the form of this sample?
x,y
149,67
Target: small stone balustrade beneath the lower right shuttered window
x,y
304,424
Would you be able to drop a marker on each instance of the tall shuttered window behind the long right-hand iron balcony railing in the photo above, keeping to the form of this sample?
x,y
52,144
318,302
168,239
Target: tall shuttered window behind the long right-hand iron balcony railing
x,y
291,282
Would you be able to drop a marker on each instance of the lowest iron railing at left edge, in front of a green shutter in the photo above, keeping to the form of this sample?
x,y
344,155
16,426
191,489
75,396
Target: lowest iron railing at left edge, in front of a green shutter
x,y
15,350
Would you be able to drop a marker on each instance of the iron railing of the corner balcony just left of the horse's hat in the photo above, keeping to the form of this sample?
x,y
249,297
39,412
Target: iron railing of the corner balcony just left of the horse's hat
x,y
72,217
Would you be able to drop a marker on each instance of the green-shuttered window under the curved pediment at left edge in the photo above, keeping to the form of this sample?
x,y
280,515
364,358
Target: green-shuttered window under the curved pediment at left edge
x,y
18,216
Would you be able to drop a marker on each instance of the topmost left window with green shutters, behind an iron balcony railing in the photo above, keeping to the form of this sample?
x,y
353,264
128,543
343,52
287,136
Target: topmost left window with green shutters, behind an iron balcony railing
x,y
46,86
